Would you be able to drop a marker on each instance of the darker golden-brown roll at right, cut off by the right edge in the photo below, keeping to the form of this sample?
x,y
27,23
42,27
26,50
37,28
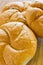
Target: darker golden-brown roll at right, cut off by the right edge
x,y
34,17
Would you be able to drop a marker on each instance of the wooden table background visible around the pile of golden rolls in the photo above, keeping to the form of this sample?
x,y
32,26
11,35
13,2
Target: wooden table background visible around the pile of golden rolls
x,y
38,58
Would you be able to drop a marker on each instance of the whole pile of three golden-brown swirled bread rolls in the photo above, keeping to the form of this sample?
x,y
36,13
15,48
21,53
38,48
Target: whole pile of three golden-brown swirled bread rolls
x,y
20,23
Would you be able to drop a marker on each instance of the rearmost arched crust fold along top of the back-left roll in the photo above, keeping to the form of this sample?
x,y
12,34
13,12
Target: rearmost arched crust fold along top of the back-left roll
x,y
21,6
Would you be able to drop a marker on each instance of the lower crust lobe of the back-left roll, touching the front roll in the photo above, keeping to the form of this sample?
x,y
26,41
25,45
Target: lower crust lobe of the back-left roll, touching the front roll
x,y
11,15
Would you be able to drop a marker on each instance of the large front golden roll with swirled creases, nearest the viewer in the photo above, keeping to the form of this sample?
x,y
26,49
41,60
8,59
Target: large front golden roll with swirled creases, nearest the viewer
x,y
17,44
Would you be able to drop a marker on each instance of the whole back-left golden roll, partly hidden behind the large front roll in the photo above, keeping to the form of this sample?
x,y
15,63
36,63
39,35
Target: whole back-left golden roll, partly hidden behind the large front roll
x,y
13,12
